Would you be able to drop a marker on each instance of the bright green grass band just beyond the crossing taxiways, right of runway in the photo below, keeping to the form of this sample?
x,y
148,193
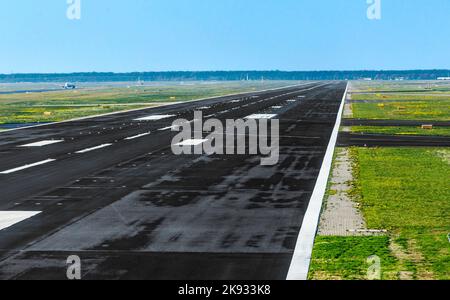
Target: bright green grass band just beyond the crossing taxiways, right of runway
x,y
406,110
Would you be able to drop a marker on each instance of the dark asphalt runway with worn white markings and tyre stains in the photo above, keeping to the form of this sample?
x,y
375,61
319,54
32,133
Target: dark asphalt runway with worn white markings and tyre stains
x,y
110,190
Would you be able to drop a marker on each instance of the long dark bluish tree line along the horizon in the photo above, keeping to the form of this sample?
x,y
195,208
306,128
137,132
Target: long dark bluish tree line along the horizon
x,y
226,76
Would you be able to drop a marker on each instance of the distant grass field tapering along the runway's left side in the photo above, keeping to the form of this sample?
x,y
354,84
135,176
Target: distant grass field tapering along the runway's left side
x,y
64,105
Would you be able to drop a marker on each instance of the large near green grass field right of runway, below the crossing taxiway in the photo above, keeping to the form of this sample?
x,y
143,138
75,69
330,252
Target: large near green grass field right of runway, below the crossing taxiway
x,y
402,190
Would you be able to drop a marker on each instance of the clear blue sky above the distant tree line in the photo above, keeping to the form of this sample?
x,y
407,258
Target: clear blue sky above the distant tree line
x,y
157,35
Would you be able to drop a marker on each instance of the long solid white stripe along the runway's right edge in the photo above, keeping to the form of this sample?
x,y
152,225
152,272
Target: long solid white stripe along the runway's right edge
x,y
302,255
